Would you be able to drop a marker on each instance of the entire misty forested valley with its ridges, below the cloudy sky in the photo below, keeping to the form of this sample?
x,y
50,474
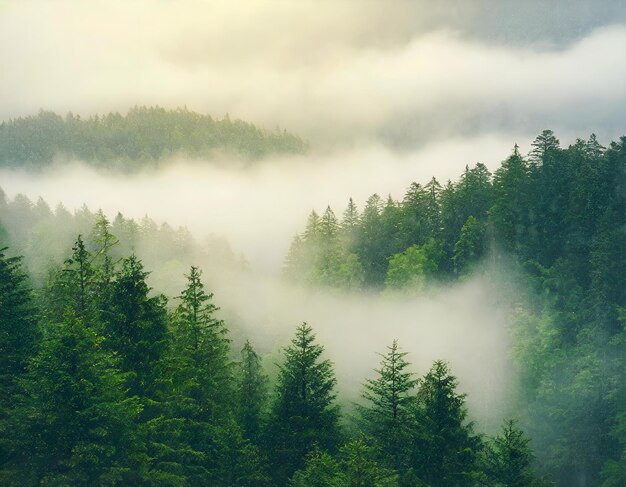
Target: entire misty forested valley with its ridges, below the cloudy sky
x,y
219,329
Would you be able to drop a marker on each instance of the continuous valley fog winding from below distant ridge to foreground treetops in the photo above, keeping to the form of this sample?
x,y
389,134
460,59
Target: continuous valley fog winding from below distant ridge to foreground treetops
x,y
259,207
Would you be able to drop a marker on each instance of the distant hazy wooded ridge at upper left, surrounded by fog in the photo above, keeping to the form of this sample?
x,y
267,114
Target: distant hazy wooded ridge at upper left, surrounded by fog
x,y
143,136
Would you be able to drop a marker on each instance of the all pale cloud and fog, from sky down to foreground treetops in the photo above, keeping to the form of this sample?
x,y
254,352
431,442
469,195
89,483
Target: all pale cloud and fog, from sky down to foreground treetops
x,y
386,92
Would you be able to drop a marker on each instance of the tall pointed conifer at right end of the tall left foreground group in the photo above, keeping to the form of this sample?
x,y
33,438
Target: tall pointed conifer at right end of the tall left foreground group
x,y
197,439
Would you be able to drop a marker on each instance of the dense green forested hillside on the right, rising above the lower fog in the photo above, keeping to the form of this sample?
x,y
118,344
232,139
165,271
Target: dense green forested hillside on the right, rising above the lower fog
x,y
561,214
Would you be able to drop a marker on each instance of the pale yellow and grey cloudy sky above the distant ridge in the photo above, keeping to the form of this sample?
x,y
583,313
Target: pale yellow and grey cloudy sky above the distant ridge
x,y
335,72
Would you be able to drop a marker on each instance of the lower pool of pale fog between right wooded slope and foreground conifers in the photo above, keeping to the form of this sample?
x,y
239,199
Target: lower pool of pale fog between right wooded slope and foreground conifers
x,y
466,324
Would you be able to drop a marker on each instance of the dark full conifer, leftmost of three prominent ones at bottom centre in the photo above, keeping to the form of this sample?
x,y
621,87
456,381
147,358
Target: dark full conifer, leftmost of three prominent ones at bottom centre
x,y
303,414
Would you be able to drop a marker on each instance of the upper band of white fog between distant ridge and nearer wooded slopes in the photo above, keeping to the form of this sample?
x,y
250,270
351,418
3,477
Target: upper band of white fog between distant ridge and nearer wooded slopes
x,y
259,207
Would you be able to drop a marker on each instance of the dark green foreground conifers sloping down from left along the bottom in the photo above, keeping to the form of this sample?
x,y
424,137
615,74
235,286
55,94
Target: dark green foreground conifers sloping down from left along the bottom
x,y
105,383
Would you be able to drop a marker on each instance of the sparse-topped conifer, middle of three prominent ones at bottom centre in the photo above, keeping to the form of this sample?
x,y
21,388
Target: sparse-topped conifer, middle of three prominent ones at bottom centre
x,y
387,421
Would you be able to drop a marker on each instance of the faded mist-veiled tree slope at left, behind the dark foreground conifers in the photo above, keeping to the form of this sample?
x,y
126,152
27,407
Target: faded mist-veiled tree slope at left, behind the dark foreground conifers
x,y
43,235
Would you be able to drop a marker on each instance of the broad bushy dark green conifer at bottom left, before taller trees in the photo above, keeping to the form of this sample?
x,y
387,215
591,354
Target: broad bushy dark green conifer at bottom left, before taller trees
x,y
76,421
